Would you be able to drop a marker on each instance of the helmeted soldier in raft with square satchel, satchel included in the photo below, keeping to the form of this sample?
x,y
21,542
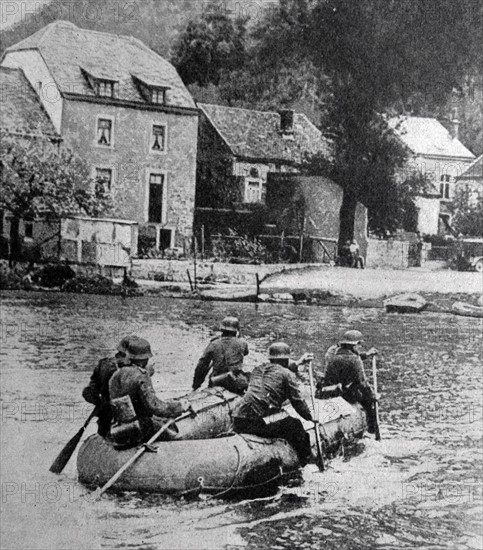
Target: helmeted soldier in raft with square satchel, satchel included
x,y
137,411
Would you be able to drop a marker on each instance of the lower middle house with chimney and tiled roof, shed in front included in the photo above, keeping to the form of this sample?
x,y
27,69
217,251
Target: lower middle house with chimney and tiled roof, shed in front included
x,y
248,179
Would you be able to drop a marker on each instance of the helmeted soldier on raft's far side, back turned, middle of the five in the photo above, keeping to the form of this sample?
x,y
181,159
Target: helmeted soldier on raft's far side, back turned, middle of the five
x,y
224,355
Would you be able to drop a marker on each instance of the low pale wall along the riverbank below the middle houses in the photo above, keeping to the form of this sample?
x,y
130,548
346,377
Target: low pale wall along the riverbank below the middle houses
x,y
176,270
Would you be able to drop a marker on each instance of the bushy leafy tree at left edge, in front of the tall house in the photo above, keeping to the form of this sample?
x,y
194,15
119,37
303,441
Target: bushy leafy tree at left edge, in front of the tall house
x,y
40,180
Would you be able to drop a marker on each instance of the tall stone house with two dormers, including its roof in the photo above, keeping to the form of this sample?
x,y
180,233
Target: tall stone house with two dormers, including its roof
x,y
123,109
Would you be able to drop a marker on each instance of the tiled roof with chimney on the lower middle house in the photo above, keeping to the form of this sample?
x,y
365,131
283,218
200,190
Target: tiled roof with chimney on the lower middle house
x,y
256,135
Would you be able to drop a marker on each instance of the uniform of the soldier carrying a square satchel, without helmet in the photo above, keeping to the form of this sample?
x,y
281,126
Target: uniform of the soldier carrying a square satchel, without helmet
x,y
151,412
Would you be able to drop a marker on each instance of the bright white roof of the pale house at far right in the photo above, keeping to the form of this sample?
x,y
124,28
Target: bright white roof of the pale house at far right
x,y
427,136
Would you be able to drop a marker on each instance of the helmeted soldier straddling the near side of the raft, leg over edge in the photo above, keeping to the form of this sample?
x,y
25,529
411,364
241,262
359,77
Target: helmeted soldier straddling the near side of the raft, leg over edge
x,y
259,410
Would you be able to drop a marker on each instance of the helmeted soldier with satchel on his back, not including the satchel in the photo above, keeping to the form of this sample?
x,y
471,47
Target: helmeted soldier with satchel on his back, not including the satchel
x,y
134,380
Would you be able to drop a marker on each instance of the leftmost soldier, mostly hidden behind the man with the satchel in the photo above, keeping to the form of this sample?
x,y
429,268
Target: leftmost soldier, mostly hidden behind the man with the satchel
x,y
97,392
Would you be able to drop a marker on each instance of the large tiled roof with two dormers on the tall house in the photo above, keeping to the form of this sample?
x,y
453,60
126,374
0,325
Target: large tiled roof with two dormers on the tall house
x,y
69,50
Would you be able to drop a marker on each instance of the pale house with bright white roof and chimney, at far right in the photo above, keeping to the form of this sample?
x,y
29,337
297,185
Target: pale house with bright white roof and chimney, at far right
x,y
437,153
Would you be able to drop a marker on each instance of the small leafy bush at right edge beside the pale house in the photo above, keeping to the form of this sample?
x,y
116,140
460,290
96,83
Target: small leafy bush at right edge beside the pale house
x,y
467,209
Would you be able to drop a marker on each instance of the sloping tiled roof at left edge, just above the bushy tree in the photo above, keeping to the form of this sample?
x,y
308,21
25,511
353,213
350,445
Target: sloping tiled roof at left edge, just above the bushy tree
x,y
20,108
